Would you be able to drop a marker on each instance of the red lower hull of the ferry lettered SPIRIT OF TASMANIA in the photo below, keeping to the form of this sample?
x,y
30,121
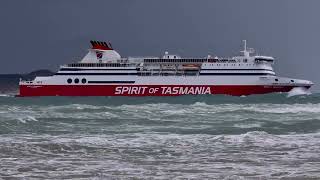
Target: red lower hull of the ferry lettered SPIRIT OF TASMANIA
x,y
148,90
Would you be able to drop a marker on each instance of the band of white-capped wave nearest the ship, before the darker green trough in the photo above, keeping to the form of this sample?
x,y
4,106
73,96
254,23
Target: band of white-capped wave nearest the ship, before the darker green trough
x,y
198,110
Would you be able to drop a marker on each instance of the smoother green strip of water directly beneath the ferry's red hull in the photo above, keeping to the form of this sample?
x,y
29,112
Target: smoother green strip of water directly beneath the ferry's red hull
x,y
275,98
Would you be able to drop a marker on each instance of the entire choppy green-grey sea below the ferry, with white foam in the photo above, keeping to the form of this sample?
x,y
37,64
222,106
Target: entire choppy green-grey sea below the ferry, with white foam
x,y
273,136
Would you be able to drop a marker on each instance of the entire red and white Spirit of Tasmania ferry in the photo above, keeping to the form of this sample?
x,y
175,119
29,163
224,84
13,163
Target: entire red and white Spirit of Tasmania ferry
x,y
103,72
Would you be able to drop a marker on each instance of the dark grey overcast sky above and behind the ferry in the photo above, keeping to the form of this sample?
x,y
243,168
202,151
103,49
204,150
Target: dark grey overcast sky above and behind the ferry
x,y
46,33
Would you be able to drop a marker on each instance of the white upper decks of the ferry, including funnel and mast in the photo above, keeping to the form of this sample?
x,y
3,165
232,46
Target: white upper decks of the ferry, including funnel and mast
x,y
169,64
